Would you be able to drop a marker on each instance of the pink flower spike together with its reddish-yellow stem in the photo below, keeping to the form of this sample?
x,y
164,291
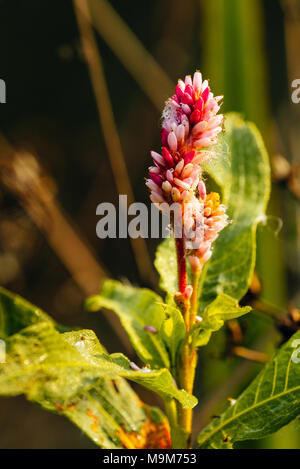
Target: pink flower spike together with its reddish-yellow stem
x,y
190,123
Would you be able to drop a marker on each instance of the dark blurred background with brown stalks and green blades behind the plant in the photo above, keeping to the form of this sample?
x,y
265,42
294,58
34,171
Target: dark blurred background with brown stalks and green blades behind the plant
x,y
62,152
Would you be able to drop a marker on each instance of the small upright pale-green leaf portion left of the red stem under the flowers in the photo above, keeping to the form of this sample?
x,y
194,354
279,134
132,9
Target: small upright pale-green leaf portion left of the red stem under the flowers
x,y
166,265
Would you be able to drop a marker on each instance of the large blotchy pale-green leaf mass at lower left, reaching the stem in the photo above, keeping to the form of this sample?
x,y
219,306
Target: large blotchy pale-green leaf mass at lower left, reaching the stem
x,y
71,374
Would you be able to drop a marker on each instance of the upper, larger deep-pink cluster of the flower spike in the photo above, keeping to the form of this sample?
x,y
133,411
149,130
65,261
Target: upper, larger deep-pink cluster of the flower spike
x,y
190,124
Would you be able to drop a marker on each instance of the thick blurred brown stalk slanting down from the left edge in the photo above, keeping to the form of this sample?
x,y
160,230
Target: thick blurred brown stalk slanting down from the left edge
x,y
22,174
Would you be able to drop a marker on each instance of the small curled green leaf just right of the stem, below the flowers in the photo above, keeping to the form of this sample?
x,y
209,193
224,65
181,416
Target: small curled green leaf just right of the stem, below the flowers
x,y
222,309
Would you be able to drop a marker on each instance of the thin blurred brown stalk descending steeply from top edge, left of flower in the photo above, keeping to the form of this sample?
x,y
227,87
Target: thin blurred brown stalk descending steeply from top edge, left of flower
x,y
110,132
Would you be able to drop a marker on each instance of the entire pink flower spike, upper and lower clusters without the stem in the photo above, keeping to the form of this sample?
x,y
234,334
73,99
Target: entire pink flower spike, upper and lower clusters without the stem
x,y
190,125
